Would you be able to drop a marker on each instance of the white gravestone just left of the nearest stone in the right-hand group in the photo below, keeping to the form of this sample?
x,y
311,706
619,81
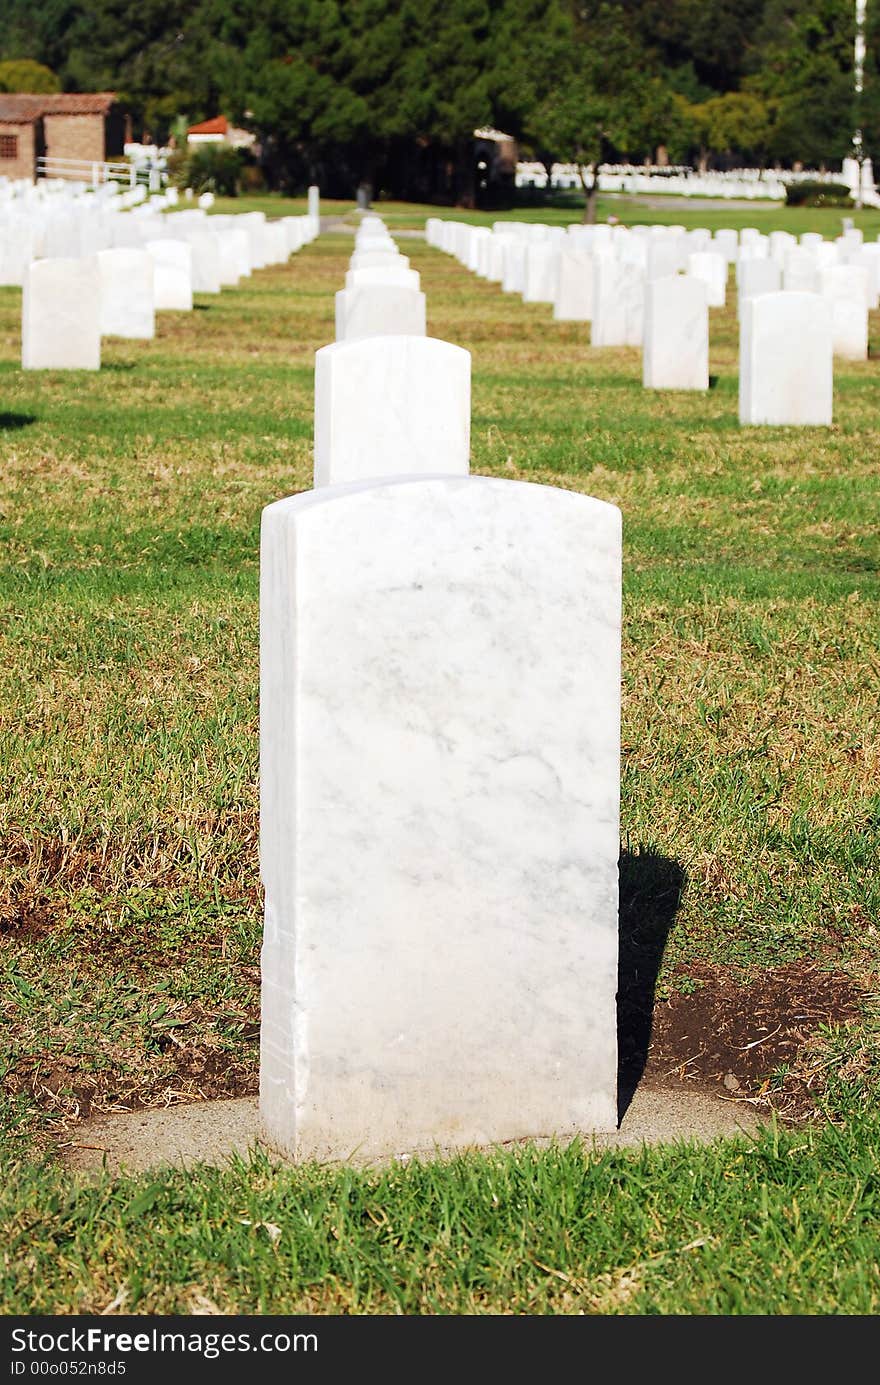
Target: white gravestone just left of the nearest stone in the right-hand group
x,y
677,334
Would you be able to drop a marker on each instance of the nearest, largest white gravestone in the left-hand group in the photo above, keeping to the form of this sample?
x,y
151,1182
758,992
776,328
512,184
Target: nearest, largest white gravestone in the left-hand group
x,y
62,315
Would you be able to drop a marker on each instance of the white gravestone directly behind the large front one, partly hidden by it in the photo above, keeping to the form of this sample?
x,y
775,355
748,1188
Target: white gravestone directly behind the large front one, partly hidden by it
x,y
391,406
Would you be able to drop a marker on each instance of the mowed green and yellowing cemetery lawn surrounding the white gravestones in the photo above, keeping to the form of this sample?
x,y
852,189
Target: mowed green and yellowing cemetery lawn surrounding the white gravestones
x,y
130,900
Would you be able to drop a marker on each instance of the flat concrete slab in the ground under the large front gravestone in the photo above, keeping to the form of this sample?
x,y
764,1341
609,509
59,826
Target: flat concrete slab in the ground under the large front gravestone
x,y
211,1132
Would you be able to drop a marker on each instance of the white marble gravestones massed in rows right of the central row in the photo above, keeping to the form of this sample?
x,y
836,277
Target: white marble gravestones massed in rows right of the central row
x,y
653,287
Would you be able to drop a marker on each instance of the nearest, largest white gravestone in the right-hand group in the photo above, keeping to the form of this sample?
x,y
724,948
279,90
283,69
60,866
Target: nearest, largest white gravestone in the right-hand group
x,y
786,359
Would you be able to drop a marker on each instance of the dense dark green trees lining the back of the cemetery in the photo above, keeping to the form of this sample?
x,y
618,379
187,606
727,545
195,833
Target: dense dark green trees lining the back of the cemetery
x,y
391,91
